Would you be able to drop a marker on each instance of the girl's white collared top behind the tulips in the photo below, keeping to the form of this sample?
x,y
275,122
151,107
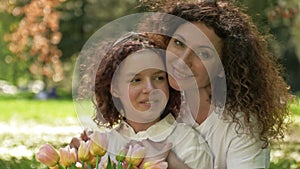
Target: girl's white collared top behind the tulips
x,y
187,144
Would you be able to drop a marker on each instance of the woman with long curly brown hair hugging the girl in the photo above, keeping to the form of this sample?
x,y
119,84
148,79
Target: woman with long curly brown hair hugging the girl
x,y
238,130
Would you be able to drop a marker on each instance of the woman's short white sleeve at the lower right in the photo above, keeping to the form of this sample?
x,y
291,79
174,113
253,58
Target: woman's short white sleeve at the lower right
x,y
245,151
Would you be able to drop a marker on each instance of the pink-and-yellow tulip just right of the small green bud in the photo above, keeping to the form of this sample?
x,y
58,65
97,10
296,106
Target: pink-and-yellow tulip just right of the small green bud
x,y
135,154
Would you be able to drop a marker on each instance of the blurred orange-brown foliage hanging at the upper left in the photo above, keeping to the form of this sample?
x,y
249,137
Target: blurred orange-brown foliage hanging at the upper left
x,y
34,40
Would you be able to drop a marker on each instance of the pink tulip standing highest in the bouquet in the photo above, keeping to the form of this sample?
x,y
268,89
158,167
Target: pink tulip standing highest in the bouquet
x,y
99,143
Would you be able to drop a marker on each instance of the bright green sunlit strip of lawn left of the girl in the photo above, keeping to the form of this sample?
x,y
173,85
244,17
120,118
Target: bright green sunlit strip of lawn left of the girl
x,y
40,111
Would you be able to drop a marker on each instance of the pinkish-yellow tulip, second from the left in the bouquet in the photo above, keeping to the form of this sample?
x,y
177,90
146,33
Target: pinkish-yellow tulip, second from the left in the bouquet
x,y
67,156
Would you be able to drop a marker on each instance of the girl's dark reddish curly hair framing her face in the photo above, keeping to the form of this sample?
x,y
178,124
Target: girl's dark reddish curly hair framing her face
x,y
111,59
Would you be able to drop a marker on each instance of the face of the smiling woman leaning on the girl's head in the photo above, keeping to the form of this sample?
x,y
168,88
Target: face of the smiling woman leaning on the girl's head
x,y
192,57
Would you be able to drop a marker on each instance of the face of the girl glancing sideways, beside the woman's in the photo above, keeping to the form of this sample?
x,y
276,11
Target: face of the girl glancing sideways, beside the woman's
x,y
141,85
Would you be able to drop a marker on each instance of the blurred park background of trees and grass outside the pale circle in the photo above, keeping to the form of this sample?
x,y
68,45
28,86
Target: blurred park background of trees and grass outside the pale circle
x,y
41,39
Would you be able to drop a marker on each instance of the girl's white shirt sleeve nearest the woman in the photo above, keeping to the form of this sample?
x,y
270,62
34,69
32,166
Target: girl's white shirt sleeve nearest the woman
x,y
193,150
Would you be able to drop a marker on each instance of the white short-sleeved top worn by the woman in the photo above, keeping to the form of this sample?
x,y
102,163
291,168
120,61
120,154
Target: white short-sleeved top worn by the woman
x,y
232,150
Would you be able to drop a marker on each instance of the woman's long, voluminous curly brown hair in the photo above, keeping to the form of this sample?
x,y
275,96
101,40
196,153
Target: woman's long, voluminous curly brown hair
x,y
255,86
